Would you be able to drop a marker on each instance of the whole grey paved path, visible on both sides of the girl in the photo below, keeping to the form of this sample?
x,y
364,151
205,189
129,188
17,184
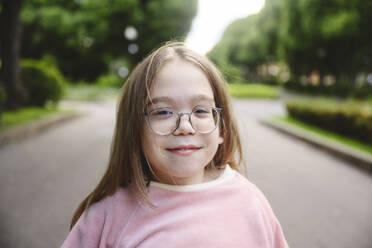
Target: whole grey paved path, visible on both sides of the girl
x,y
321,201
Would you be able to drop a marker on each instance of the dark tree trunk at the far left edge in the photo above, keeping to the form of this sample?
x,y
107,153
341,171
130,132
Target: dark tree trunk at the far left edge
x,y
10,39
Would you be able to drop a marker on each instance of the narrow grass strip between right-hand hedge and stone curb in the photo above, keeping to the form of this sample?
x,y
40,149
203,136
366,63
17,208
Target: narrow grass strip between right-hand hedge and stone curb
x,y
326,134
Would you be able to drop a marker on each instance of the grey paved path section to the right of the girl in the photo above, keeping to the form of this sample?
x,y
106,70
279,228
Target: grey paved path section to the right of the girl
x,y
320,200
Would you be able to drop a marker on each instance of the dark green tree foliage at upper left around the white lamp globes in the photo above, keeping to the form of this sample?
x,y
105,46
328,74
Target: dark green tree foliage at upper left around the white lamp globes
x,y
87,36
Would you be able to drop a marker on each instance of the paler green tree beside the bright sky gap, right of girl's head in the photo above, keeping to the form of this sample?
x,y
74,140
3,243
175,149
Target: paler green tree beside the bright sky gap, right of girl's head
x,y
249,42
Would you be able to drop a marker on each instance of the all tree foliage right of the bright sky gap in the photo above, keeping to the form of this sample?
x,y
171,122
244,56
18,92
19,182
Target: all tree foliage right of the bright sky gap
x,y
329,37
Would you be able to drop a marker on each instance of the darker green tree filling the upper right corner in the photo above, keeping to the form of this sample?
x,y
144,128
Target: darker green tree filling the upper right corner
x,y
330,37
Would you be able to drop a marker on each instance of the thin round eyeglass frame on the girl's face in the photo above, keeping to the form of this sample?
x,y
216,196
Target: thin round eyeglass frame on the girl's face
x,y
218,110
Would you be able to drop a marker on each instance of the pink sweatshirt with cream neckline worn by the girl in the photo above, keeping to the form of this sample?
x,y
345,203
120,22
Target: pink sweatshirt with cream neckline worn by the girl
x,y
227,212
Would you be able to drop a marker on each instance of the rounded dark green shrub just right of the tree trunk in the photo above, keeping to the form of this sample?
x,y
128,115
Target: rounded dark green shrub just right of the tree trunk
x,y
42,81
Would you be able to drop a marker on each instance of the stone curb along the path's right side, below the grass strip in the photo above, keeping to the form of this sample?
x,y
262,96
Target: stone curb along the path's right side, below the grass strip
x,y
357,157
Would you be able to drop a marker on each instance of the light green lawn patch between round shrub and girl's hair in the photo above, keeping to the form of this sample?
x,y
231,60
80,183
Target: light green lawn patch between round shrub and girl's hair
x,y
87,92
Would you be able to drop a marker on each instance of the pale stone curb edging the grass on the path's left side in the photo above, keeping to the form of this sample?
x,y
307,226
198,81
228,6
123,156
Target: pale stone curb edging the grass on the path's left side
x,y
33,127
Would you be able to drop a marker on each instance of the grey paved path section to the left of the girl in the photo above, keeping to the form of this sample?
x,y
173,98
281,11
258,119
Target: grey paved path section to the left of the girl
x,y
43,178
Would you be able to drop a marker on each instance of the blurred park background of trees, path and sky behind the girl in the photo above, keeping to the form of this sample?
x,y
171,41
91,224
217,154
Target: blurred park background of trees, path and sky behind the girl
x,y
299,72
